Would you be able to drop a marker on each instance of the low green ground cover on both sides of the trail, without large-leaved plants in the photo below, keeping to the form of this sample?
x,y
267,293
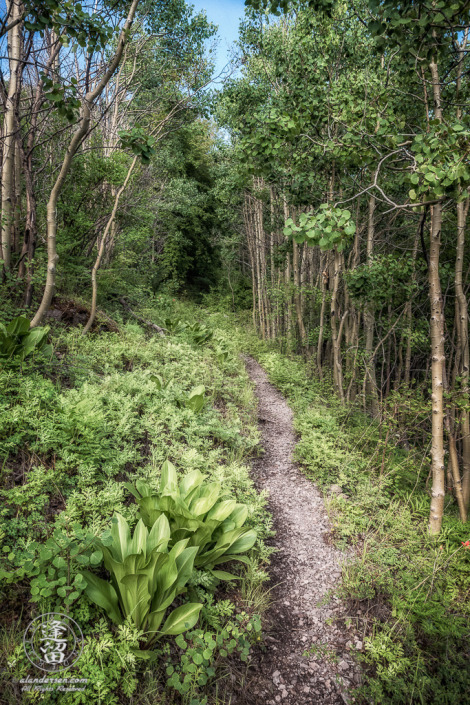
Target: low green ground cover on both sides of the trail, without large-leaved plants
x,y
110,408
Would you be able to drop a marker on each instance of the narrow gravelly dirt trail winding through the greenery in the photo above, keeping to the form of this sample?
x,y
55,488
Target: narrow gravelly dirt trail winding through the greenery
x,y
304,573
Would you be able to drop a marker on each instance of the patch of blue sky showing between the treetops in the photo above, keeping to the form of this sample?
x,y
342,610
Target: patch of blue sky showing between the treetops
x,y
227,15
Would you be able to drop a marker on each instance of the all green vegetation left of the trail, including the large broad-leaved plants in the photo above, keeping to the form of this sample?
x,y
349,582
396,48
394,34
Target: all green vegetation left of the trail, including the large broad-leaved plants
x,y
82,430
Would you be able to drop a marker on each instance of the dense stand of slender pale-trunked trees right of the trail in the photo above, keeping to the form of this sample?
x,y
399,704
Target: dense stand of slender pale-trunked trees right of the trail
x,y
351,151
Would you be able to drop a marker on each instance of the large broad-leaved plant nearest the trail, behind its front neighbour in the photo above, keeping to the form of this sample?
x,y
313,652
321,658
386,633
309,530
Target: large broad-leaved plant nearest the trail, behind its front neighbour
x,y
196,513
